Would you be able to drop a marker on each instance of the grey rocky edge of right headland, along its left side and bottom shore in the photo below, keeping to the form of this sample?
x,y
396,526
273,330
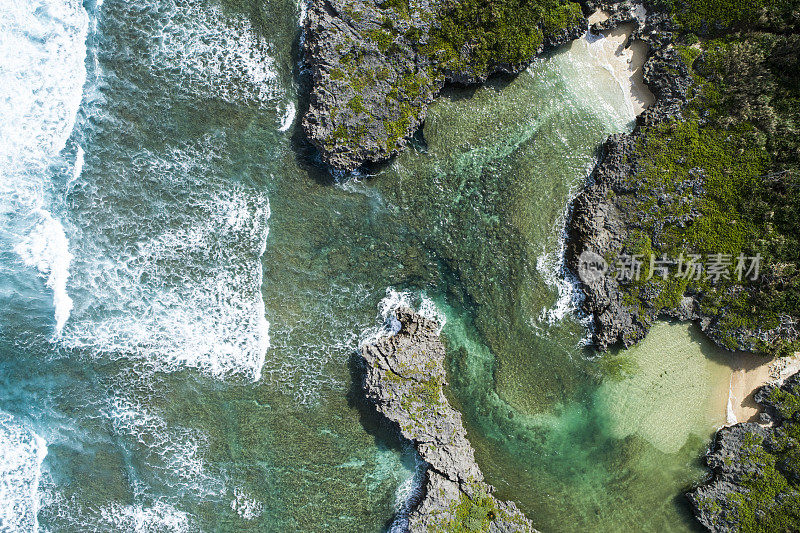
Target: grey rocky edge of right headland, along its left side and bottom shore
x,y
606,217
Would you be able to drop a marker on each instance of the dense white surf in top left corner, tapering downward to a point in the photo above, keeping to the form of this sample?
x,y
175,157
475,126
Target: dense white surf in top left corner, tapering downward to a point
x,y
40,92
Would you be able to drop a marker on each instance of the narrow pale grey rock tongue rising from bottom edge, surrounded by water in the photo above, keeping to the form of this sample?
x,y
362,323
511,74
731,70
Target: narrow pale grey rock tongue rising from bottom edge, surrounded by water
x,y
404,379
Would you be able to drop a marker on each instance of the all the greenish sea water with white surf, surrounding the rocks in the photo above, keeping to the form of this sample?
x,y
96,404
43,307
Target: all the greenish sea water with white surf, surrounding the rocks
x,y
182,289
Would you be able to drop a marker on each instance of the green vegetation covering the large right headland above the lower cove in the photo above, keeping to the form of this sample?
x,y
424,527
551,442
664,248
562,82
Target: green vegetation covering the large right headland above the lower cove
x,y
725,180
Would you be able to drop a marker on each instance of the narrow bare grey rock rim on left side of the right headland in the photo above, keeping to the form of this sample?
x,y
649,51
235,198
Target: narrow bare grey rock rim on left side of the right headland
x,y
601,215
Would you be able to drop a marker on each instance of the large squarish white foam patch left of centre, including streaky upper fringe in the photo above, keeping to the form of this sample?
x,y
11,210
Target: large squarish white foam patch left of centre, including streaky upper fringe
x,y
190,294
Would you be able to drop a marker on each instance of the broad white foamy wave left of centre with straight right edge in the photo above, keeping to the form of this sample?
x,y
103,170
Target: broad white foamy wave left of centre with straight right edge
x,y
212,317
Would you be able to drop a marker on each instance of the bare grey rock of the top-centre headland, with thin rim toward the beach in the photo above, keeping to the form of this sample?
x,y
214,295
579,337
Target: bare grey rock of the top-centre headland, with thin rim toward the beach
x,y
376,68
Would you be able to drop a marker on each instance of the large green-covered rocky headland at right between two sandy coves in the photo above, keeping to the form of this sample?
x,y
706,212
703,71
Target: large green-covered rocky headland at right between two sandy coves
x,y
711,175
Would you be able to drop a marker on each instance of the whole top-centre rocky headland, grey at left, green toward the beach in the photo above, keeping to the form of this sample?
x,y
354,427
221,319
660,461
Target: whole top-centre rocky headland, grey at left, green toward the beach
x,y
378,64
